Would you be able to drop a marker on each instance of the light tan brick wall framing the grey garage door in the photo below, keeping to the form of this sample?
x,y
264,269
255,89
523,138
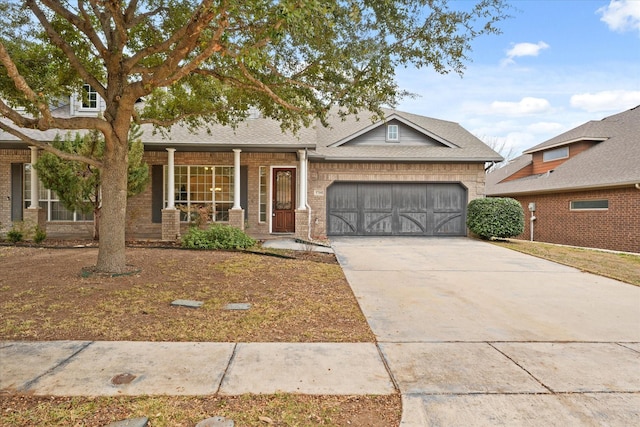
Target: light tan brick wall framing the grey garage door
x,y
322,175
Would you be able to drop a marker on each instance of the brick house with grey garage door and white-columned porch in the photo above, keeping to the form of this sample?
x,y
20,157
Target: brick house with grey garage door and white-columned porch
x,y
405,175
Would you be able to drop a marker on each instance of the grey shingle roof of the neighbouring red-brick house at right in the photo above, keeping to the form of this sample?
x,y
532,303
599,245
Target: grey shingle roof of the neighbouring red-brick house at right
x,y
613,162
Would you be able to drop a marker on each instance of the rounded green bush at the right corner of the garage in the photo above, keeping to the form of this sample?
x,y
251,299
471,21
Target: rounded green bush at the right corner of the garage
x,y
495,217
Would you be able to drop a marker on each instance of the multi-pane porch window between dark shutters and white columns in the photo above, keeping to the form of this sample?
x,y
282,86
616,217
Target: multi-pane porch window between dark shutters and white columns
x,y
203,187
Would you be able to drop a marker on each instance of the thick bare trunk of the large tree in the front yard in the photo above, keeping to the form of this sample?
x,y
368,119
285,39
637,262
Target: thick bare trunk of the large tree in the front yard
x,y
111,252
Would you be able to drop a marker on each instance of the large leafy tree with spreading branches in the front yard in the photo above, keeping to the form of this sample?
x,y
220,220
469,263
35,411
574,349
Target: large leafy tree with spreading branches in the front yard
x,y
207,61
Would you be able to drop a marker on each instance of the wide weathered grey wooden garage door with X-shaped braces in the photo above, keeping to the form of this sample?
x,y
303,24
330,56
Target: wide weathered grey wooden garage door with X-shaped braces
x,y
379,209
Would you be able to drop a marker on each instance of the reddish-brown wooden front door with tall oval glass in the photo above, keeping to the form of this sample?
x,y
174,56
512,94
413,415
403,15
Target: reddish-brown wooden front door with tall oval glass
x,y
284,200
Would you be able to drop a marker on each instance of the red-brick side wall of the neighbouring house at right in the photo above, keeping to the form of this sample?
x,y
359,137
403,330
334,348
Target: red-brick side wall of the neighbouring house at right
x,y
617,228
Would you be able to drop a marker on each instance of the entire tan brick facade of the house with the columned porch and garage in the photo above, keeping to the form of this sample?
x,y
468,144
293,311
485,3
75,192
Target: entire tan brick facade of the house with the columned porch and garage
x,y
308,222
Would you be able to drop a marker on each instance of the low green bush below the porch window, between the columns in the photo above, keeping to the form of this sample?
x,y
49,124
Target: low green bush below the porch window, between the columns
x,y
217,236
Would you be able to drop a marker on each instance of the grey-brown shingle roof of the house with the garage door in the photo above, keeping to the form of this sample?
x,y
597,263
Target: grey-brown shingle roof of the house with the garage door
x,y
264,133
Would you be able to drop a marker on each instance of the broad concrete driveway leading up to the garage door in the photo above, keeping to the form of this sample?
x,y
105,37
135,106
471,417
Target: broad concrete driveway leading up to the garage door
x,y
475,334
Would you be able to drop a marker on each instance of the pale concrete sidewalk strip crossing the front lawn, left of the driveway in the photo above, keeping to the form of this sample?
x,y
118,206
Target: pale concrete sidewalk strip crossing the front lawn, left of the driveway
x,y
85,368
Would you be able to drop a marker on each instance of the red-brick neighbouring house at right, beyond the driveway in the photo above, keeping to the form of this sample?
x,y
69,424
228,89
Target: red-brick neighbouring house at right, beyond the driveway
x,y
585,184
